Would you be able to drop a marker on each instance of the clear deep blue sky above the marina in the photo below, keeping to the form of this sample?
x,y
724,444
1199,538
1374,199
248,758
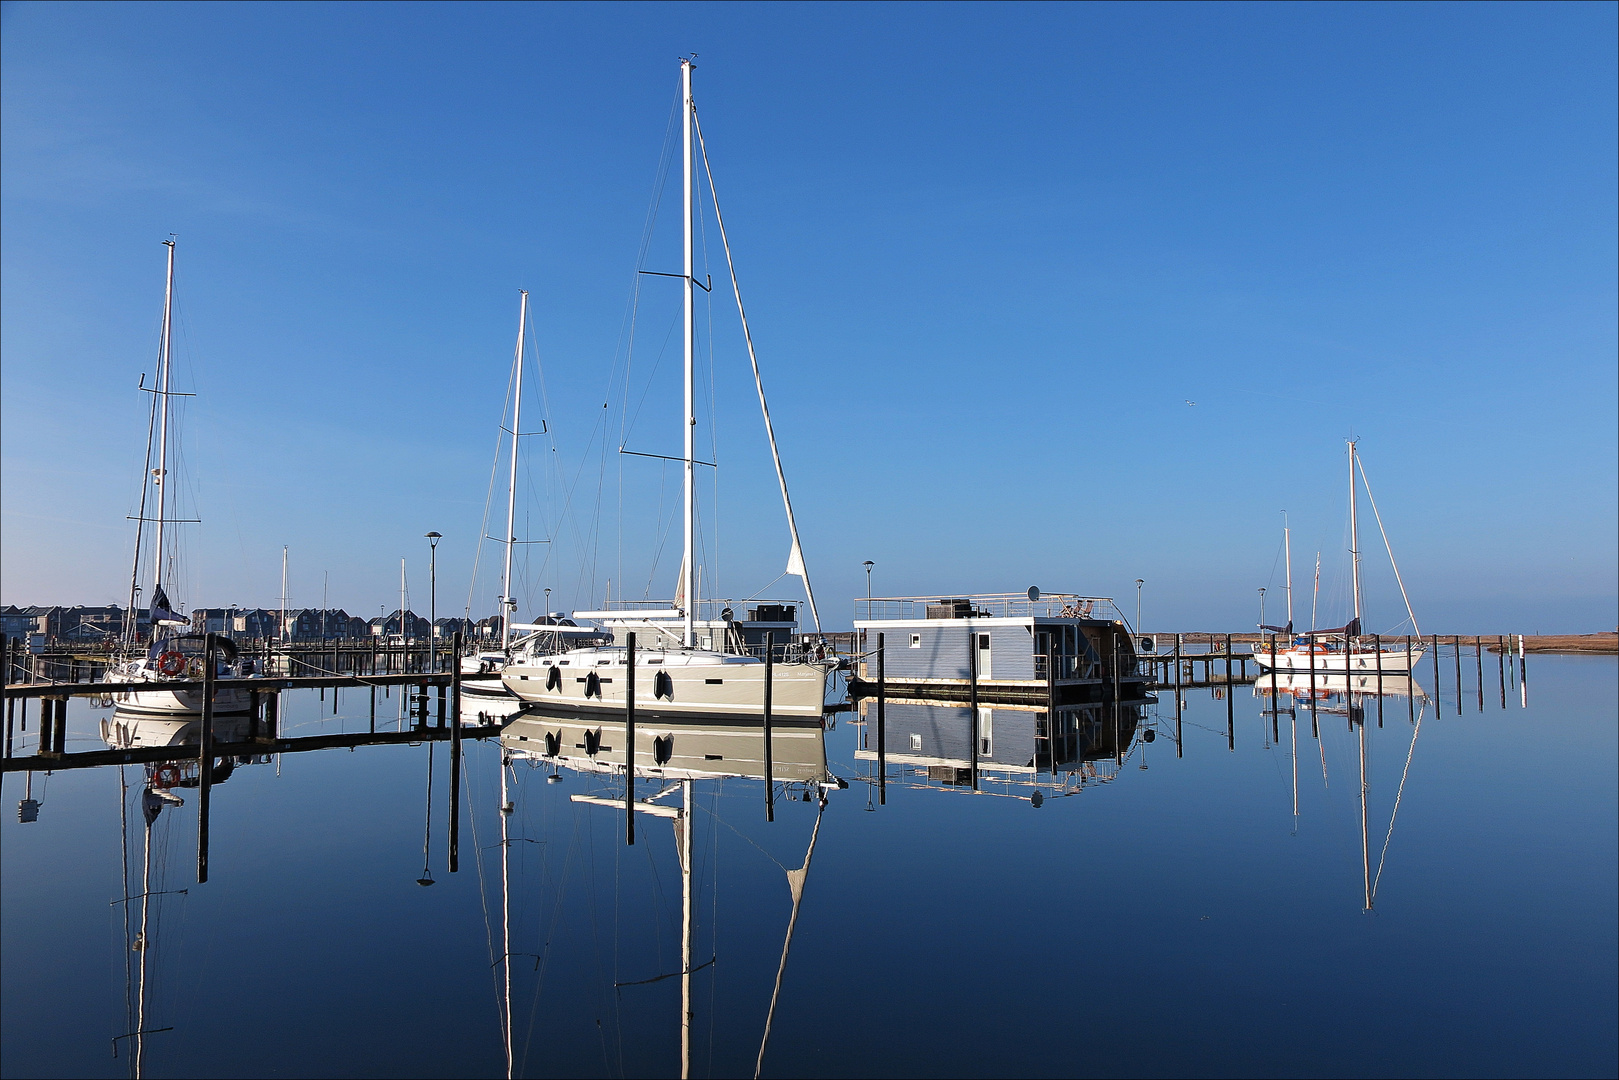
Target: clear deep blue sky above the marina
x,y
990,253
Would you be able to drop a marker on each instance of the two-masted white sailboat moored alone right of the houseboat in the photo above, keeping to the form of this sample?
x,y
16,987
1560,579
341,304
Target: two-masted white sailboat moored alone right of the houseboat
x,y
1346,648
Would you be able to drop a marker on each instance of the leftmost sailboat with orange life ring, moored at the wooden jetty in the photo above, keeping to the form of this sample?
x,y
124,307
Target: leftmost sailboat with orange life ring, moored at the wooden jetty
x,y
171,653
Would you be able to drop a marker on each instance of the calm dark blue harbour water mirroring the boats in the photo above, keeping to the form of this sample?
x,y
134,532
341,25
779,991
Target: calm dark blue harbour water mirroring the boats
x,y
1170,917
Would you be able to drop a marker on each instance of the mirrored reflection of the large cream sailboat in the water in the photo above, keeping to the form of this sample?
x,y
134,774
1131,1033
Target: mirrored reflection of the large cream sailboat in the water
x,y
673,755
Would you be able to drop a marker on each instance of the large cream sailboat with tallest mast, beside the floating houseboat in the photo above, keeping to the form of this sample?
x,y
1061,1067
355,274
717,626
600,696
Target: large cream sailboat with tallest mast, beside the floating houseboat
x,y
692,665
